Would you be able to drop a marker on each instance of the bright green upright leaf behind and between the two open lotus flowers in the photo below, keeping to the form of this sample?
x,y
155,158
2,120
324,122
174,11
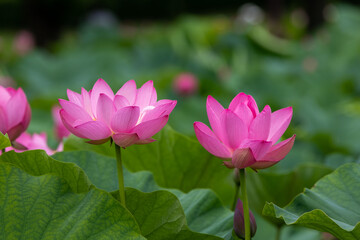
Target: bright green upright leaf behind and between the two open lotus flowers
x,y
175,160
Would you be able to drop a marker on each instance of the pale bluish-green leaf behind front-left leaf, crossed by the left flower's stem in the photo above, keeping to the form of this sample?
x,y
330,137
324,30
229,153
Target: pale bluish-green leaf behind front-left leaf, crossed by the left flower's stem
x,y
204,211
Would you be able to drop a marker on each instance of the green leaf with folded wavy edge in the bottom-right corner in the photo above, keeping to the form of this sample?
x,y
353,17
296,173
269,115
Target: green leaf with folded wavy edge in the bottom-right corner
x,y
332,205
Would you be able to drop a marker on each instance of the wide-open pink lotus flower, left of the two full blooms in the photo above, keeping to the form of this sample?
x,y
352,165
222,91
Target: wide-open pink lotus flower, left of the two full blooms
x,y
131,116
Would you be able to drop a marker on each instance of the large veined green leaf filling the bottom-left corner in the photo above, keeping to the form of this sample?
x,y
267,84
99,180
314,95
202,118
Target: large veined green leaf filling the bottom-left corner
x,y
45,207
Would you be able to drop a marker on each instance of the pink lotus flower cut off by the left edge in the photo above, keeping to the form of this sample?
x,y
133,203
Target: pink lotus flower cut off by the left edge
x,y
15,112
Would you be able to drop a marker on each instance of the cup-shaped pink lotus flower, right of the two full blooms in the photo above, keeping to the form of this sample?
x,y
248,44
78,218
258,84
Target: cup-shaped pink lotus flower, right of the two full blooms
x,y
244,135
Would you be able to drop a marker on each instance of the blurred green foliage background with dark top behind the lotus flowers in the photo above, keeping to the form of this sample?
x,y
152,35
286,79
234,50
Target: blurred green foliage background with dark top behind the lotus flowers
x,y
304,54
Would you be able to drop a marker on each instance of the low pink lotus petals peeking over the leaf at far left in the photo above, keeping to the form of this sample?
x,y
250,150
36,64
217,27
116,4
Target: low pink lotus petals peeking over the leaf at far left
x,y
27,141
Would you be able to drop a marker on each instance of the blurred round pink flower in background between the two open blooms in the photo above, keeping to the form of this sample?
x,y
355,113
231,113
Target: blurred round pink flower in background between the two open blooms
x,y
185,84
